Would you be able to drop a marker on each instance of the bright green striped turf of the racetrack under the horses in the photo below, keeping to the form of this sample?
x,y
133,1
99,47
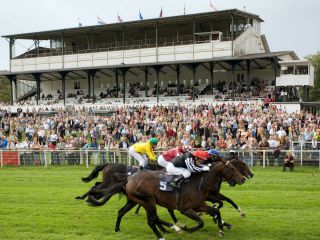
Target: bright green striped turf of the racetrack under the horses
x,y
38,203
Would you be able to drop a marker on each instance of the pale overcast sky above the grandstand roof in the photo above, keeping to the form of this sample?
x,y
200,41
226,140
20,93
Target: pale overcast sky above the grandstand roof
x,y
289,24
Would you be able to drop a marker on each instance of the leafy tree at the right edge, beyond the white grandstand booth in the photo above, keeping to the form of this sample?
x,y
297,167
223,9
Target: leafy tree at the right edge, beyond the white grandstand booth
x,y
315,60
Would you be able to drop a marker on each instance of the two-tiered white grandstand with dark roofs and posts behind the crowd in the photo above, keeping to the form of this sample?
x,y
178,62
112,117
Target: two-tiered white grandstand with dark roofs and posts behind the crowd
x,y
203,57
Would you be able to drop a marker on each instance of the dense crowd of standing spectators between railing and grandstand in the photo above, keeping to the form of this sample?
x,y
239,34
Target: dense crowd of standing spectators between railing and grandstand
x,y
225,126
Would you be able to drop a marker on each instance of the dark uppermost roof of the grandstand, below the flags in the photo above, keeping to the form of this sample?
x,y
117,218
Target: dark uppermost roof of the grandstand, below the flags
x,y
147,23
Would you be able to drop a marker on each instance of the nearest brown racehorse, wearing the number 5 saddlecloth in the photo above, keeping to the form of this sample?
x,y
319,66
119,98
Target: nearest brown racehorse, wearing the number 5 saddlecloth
x,y
143,188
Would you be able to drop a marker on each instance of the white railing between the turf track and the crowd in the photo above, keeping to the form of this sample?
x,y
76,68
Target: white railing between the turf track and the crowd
x,y
88,158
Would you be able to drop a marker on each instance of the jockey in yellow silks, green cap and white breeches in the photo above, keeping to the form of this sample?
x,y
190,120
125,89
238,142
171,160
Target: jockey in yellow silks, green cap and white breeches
x,y
139,151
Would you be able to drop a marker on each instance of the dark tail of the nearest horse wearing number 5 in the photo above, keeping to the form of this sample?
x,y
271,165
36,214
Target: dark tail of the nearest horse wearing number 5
x,y
118,187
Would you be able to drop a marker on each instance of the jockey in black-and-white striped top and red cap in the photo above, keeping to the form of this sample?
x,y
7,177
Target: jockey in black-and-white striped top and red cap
x,y
187,163
